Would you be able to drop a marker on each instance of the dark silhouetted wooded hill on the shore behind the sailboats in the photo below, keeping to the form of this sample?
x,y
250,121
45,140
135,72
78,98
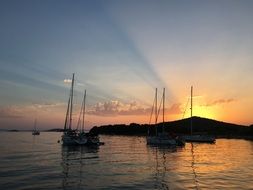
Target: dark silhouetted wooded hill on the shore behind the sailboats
x,y
181,127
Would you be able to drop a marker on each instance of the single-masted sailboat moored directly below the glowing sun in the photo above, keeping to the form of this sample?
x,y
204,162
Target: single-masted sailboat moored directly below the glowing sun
x,y
197,137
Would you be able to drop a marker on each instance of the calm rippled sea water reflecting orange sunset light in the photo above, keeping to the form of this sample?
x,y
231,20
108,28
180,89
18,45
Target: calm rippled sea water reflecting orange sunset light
x,y
39,162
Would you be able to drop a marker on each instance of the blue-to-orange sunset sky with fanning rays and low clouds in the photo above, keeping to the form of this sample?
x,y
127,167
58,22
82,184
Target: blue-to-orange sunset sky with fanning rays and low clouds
x,y
120,51
